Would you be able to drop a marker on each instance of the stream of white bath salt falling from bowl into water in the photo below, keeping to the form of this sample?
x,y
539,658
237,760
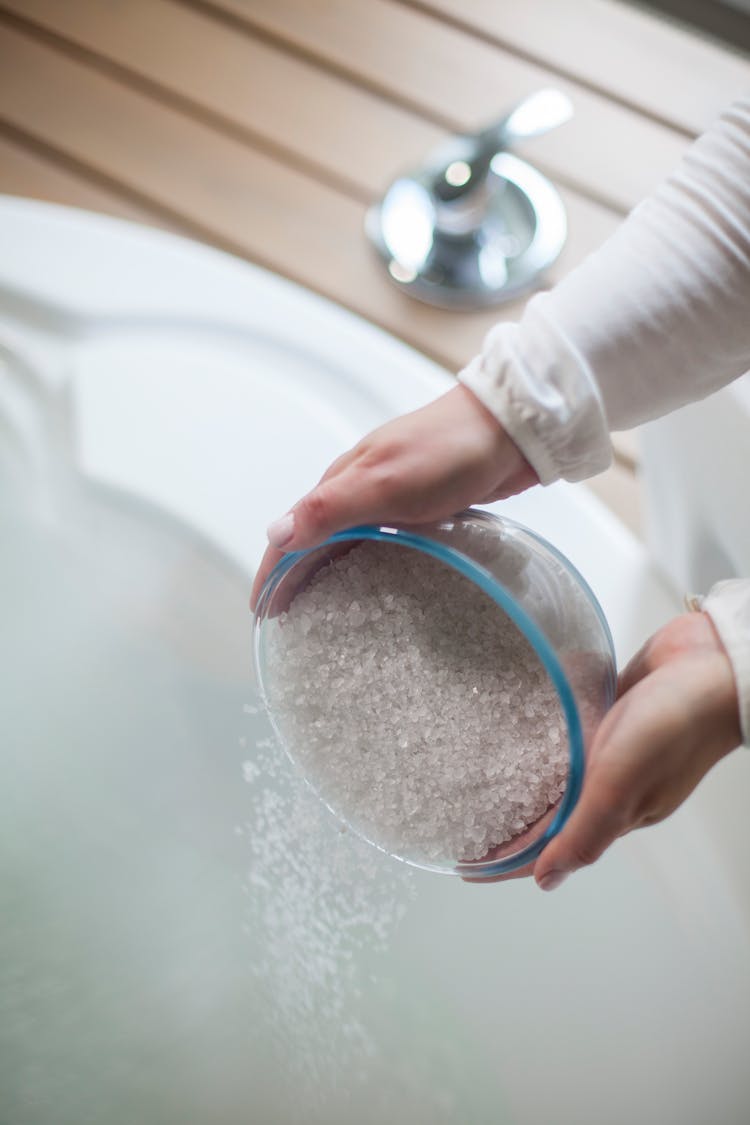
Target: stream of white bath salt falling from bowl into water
x,y
322,912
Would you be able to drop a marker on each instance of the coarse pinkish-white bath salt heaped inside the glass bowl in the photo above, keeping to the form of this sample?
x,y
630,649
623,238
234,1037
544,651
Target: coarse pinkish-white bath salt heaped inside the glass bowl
x,y
415,707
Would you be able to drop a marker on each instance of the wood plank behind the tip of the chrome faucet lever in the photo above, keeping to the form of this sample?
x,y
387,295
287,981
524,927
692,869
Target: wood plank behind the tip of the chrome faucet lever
x,y
457,80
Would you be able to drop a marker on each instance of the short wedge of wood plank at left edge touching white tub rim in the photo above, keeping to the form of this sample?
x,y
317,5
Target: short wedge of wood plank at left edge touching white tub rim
x,y
33,175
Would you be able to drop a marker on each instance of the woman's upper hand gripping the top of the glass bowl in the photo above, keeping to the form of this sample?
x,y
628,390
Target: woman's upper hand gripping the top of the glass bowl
x,y
420,467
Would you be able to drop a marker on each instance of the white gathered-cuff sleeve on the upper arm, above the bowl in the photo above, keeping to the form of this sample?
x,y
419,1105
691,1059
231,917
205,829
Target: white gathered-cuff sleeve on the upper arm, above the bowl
x,y
657,318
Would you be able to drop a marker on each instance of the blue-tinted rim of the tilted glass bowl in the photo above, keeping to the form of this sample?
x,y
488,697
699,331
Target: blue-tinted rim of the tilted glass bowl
x,y
495,590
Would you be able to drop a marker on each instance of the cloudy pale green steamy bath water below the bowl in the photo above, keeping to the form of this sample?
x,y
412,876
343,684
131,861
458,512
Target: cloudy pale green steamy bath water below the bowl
x,y
187,937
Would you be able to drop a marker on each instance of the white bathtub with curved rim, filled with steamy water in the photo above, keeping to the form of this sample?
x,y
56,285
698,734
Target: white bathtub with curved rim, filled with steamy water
x,y
186,937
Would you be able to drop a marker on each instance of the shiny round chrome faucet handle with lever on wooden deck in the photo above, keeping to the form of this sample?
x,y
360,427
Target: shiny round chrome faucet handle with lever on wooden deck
x,y
476,226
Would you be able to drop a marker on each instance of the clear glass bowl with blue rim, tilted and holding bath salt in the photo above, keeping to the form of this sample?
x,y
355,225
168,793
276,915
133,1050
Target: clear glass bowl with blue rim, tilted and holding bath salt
x,y
540,600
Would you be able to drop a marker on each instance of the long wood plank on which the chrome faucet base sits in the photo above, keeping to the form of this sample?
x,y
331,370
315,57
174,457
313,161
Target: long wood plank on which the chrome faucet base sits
x,y
231,194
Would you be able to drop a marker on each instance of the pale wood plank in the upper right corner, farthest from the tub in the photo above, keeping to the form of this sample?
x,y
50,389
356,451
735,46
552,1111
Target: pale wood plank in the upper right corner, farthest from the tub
x,y
673,74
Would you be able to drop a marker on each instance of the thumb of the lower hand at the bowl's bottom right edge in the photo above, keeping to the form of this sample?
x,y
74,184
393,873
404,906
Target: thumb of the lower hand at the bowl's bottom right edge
x,y
597,823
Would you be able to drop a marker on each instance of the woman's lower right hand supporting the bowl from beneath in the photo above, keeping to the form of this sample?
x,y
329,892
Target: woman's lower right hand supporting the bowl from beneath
x,y
676,716
